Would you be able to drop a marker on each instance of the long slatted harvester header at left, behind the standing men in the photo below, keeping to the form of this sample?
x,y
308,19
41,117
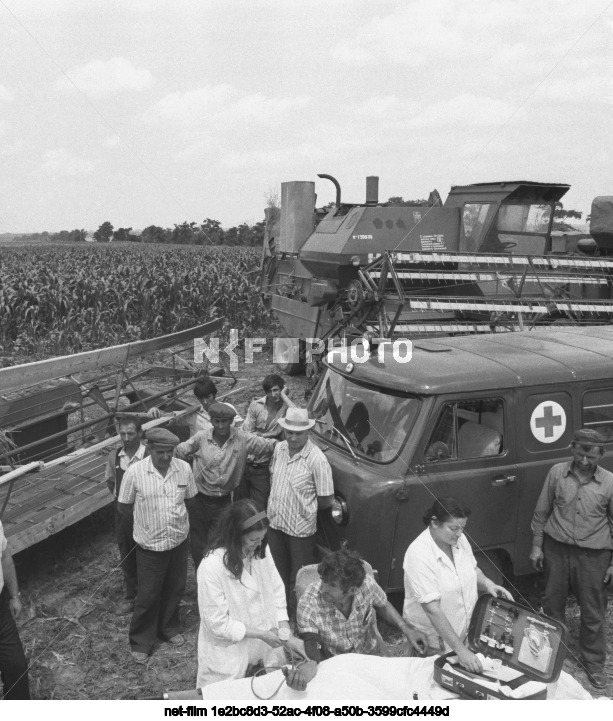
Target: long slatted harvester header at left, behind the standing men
x,y
59,414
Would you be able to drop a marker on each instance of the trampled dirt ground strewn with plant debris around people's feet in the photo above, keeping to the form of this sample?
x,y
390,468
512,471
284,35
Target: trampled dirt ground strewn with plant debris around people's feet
x,y
79,649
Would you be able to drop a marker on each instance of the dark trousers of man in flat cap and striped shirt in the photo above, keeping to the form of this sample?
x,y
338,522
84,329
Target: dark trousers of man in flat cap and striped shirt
x,y
161,583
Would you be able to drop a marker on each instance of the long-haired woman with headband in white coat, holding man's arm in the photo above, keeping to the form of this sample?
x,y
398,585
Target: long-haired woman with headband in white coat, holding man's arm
x,y
241,599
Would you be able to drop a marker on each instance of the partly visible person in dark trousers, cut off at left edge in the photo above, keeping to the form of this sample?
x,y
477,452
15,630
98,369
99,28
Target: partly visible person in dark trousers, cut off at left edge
x,y
13,663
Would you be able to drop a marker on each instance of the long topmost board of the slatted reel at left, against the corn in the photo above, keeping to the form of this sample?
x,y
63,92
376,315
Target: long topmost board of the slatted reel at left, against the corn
x,y
29,374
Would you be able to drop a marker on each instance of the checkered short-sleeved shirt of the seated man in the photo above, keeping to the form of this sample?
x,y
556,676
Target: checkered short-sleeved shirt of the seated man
x,y
338,634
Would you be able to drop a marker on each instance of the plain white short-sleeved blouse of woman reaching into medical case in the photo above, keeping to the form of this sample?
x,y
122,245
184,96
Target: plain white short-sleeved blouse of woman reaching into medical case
x,y
429,575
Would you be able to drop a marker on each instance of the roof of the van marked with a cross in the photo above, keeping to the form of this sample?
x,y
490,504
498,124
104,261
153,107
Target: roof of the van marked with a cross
x,y
497,360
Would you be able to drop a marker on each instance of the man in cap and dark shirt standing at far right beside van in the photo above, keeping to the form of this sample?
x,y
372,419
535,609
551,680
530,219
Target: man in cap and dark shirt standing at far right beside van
x,y
572,531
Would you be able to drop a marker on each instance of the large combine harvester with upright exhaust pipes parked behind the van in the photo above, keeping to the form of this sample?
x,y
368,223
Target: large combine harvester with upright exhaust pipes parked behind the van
x,y
485,260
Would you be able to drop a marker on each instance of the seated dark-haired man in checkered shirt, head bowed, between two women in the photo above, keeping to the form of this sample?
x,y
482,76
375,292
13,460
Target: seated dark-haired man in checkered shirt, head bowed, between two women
x,y
336,613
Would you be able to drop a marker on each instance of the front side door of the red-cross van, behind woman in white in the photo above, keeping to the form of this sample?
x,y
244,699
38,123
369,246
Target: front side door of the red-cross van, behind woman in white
x,y
467,451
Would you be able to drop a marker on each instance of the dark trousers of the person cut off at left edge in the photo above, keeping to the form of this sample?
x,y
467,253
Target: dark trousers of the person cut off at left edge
x,y
13,663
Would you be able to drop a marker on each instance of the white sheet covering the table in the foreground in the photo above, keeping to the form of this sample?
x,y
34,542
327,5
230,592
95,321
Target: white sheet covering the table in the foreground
x,y
354,677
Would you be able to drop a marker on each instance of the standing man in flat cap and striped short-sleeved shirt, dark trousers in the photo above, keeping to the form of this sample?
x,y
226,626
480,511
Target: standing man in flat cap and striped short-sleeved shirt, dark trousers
x,y
156,491
